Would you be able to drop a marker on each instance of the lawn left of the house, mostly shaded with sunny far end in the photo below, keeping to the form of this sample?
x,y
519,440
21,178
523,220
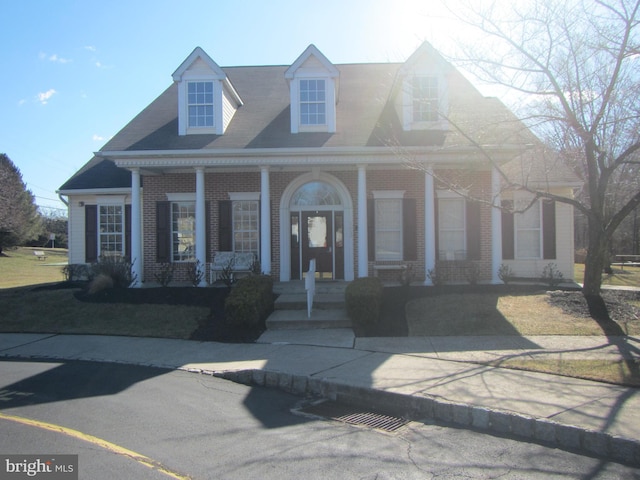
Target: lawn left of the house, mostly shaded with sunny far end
x,y
23,309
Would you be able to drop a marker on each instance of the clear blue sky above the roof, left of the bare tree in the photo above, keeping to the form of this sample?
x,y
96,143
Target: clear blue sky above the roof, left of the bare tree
x,y
76,71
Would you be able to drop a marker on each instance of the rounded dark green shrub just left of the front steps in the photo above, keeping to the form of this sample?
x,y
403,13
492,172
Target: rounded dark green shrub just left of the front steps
x,y
250,301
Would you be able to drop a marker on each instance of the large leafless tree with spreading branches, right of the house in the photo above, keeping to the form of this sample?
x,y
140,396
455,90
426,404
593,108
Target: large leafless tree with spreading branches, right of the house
x,y
576,66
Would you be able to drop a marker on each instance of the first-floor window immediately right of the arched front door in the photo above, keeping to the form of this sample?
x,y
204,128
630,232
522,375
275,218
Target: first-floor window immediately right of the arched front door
x,y
388,222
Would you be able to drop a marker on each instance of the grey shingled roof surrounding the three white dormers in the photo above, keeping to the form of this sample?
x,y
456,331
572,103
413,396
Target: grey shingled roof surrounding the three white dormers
x,y
366,114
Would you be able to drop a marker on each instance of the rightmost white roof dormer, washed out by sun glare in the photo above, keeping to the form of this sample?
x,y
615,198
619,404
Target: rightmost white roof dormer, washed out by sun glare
x,y
423,103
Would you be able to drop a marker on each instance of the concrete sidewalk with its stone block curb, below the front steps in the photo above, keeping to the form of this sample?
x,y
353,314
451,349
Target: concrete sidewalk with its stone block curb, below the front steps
x,y
420,378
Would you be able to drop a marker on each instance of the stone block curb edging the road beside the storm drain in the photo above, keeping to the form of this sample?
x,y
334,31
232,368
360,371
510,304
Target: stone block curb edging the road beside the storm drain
x,y
496,421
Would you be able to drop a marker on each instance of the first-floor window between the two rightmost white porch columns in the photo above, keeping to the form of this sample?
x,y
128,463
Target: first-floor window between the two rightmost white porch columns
x,y
452,229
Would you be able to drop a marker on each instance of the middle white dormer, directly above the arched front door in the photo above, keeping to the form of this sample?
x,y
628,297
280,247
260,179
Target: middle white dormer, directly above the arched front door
x,y
313,85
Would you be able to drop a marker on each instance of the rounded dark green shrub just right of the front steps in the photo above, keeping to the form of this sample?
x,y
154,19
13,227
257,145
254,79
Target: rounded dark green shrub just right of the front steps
x,y
363,298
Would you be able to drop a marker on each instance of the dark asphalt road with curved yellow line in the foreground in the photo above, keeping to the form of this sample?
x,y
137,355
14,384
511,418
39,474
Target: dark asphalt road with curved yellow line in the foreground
x,y
194,426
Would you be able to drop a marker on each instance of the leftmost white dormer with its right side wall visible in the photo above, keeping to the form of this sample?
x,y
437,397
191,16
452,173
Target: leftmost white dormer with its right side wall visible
x,y
206,99
